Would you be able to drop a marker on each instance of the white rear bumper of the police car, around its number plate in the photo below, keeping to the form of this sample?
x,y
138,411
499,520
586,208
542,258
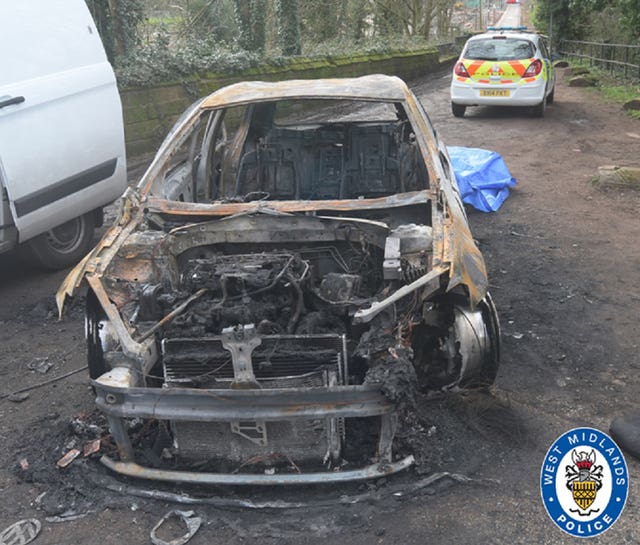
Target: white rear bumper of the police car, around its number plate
x,y
521,94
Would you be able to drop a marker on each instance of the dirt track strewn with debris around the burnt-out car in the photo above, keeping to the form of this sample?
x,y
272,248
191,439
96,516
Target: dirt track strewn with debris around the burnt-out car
x,y
563,259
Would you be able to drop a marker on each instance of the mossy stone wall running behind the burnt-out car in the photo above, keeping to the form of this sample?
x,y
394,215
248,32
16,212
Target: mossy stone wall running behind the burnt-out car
x,y
150,112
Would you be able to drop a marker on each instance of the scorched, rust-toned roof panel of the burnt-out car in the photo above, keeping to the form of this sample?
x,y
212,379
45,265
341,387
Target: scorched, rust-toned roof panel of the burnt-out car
x,y
373,87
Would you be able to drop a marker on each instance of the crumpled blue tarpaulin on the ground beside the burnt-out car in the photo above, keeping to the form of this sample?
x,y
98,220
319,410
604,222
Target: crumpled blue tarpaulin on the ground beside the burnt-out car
x,y
482,176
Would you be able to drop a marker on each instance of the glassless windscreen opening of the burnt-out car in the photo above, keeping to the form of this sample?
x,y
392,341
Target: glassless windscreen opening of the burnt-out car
x,y
298,150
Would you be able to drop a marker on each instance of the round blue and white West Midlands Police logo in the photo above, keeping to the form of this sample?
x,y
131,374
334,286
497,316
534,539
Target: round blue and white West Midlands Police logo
x,y
584,482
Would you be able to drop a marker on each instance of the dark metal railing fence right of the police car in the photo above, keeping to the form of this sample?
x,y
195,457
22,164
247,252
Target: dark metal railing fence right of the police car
x,y
623,60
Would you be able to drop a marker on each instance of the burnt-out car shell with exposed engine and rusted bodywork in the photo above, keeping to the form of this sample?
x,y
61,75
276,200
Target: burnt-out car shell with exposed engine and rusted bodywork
x,y
292,270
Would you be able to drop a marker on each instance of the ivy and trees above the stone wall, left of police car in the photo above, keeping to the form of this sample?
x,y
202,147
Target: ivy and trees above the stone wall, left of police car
x,y
153,41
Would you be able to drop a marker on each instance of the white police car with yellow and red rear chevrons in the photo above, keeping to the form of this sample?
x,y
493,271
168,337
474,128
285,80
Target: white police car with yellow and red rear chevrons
x,y
503,67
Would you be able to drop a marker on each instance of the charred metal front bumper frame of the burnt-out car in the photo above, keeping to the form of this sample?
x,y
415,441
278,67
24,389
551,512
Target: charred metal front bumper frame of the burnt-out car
x,y
120,402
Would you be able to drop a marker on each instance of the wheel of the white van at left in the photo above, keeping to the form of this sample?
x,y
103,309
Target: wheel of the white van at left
x,y
66,244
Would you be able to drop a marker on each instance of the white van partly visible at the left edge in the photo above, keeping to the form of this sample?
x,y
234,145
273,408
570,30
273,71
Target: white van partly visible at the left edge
x,y
62,154
